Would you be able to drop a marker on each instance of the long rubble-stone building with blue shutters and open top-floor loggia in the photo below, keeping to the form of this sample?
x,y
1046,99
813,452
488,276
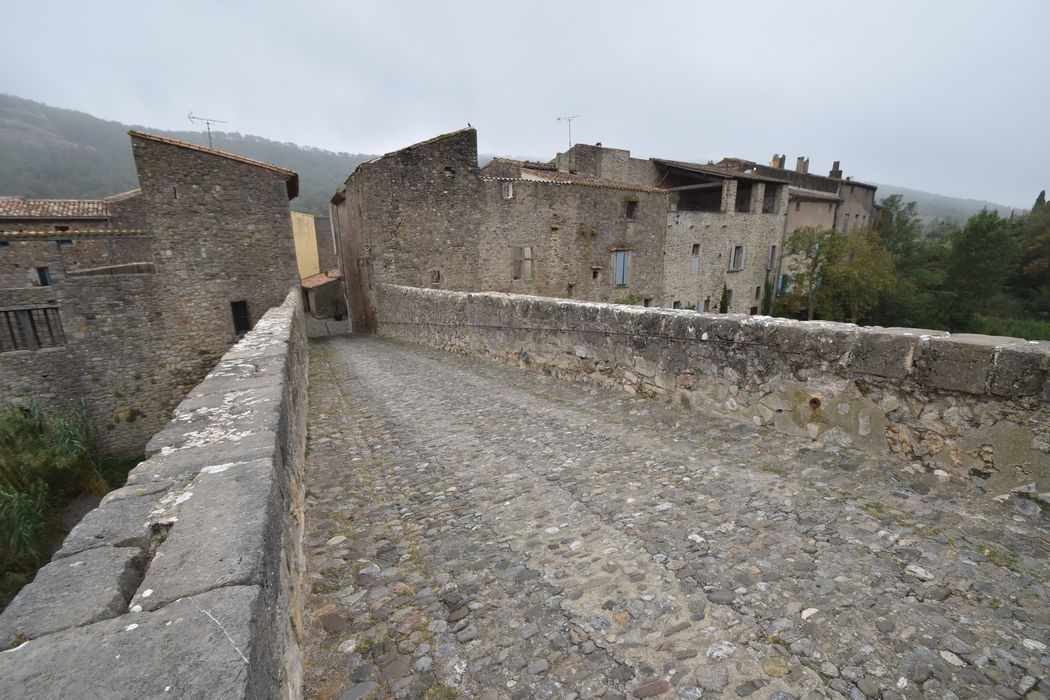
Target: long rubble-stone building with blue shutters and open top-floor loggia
x,y
592,224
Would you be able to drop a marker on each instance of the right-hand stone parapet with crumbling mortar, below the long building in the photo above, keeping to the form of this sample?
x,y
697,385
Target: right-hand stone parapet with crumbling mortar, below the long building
x,y
970,407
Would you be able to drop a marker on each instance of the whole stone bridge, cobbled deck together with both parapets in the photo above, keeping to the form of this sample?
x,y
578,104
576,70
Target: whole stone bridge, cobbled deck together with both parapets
x,y
715,506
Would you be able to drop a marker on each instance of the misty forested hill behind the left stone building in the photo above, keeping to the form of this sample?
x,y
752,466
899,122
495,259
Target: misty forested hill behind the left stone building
x,y
52,153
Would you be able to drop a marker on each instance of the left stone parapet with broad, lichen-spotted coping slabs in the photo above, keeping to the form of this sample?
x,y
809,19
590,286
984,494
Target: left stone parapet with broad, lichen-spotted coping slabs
x,y
186,583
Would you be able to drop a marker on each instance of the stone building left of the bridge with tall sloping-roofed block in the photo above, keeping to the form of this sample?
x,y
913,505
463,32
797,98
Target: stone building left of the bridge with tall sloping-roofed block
x,y
144,291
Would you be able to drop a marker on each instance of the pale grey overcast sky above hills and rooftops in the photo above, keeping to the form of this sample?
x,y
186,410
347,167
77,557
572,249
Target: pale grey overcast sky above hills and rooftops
x,y
946,97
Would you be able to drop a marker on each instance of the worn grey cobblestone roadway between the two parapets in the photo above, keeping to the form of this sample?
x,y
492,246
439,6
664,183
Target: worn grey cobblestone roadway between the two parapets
x,y
482,532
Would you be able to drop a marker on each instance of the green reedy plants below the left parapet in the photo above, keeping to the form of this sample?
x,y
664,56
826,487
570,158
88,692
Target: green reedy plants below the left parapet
x,y
48,460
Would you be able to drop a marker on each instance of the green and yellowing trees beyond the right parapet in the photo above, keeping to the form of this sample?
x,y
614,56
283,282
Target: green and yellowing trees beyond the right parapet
x,y
991,275
